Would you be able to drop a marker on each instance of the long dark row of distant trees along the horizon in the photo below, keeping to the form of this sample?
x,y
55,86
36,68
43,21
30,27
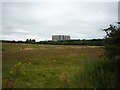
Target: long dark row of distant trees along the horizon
x,y
92,42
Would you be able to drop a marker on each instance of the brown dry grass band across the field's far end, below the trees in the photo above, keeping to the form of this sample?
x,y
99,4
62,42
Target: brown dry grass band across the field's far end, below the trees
x,y
28,52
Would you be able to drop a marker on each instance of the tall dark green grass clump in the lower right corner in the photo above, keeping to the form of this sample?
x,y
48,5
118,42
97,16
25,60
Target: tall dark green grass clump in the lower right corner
x,y
102,73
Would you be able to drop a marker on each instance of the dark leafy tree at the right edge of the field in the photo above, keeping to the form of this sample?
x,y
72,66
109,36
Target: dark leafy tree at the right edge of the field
x,y
112,42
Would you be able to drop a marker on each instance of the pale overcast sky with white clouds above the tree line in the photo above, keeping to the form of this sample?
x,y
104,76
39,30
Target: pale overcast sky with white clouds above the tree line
x,y
40,20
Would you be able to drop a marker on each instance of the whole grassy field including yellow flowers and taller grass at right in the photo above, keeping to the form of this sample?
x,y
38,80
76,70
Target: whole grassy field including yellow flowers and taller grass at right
x,y
53,66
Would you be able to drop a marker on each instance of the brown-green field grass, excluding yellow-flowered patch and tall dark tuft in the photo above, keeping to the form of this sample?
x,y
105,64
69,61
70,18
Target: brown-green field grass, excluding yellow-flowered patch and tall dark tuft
x,y
51,65
